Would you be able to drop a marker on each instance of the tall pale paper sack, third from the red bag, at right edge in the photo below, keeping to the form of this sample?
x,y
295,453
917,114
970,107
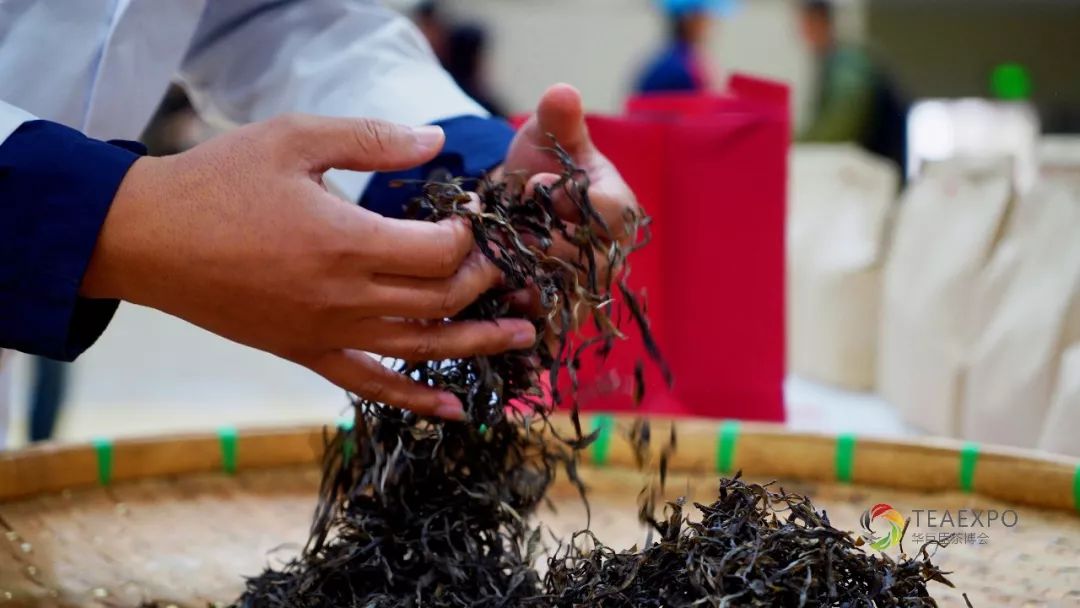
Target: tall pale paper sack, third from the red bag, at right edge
x,y
1017,360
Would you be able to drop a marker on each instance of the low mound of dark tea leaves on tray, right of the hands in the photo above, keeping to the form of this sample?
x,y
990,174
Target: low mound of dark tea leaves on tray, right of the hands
x,y
753,547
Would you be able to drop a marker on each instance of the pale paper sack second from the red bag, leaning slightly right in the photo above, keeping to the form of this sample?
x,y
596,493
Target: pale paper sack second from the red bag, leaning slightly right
x,y
949,224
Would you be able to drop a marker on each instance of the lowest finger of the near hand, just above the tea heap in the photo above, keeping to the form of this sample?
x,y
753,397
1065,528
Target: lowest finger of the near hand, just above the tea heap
x,y
359,373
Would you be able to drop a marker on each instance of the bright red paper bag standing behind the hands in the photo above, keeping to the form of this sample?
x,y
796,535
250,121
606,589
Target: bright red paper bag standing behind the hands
x,y
712,172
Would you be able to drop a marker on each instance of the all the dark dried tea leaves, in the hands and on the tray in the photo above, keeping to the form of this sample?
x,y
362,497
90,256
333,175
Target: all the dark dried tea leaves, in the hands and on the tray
x,y
424,512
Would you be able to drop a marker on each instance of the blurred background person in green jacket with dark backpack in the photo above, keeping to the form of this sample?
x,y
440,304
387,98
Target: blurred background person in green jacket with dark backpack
x,y
856,100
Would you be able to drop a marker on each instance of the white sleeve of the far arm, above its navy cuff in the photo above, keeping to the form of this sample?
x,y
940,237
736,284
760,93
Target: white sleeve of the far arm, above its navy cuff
x,y
254,60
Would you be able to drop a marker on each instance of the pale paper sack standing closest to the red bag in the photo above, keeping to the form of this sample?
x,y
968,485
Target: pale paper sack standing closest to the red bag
x,y
838,220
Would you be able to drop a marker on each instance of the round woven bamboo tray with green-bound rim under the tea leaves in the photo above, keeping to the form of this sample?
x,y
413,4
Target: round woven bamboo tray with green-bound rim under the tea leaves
x,y
181,521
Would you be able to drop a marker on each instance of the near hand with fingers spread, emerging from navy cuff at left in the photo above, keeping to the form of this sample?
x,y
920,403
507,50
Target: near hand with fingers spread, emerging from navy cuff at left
x,y
240,237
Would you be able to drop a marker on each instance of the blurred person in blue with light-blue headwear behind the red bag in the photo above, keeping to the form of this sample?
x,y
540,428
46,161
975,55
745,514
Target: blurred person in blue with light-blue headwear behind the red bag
x,y
683,64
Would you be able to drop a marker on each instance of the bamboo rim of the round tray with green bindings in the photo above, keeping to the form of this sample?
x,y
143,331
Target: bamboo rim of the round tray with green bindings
x,y
934,464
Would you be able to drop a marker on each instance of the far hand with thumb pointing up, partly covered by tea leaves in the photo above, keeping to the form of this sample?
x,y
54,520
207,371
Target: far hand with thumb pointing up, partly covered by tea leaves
x,y
561,114
